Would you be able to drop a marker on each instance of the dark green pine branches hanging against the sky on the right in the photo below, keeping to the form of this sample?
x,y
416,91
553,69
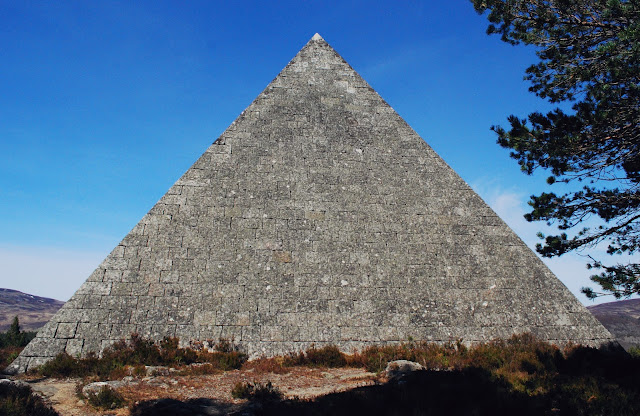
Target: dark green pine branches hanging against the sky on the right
x,y
589,54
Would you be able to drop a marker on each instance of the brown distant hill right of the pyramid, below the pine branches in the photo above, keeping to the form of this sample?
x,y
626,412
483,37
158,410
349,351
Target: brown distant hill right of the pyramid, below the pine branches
x,y
621,318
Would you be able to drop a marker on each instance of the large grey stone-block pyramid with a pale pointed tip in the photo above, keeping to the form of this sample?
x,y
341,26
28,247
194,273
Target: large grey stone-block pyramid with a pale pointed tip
x,y
319,216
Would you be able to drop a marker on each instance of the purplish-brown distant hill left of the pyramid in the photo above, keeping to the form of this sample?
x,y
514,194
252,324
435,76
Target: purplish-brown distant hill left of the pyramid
x,y
32,311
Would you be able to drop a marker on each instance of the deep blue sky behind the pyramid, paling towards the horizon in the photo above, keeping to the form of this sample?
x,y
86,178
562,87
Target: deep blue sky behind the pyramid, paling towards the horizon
x,y
104,104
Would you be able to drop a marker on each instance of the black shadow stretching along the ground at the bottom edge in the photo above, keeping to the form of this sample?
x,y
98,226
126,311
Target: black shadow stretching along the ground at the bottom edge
x,y
472,391
